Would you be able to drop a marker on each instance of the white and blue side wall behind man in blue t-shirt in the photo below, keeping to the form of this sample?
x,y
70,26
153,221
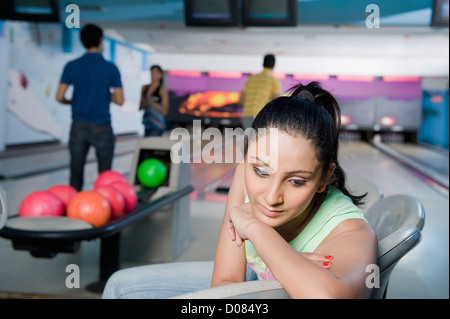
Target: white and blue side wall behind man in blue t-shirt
x,y
33,57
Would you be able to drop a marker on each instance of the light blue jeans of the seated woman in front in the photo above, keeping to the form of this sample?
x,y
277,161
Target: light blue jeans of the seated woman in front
x,y
162,281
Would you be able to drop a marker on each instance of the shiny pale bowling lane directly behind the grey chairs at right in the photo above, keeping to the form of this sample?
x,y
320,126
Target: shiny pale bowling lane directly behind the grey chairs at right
x,y
424,272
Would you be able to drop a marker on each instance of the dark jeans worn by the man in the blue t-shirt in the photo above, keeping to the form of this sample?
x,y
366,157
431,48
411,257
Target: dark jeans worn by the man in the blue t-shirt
x,y
83,135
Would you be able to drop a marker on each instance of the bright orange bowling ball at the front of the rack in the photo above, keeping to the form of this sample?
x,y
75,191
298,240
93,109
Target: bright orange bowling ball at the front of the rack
x,y
91,207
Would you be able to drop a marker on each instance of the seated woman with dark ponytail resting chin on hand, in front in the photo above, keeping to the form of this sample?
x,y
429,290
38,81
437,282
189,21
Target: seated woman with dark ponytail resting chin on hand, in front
x,y
288,214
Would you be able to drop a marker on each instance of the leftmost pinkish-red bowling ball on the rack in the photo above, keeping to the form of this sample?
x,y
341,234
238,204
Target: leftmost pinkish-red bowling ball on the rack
x,y
41,204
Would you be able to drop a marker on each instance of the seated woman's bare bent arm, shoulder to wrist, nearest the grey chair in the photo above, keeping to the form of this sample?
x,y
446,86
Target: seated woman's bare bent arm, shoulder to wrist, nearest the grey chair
x,y
350,244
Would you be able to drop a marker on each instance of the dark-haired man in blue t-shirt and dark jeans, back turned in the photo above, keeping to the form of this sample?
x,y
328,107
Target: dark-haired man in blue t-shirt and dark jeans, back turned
x,y
96,82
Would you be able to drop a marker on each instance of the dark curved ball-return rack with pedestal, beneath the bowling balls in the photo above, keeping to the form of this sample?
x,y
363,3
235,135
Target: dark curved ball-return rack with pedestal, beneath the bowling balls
x,y
47,244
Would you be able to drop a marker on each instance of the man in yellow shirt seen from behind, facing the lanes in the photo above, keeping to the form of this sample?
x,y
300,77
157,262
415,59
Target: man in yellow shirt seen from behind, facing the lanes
x,y
259,89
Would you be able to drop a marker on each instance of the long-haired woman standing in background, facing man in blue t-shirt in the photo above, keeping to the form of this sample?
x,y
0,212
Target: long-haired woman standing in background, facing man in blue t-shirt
x,y
155,103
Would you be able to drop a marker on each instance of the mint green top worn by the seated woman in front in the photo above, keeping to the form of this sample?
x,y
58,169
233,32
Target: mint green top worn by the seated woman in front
x,y
336,208
